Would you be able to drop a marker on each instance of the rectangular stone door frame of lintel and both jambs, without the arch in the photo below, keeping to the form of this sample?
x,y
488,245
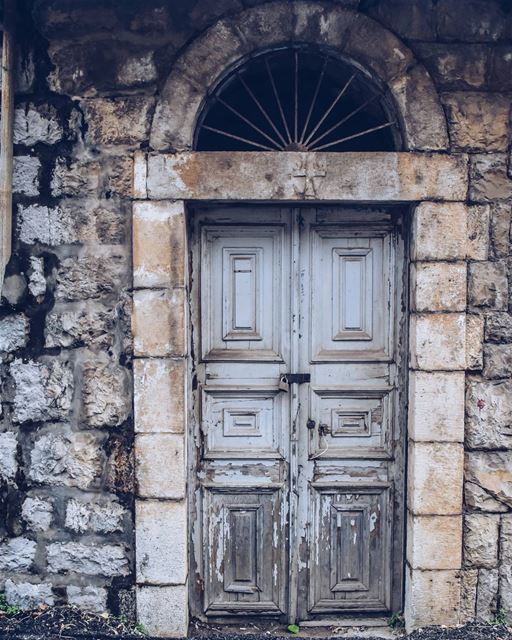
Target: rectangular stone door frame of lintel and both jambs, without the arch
x,y
443,239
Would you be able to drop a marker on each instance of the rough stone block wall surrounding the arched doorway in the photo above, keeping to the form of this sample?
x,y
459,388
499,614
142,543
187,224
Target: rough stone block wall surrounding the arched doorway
x,y
88,81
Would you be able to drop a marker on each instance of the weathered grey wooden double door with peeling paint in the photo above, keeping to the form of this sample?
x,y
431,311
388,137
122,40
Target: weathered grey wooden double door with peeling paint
x,y
297,456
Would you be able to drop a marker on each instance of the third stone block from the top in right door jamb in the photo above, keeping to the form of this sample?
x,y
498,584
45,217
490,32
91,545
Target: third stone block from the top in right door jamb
x,y
437,341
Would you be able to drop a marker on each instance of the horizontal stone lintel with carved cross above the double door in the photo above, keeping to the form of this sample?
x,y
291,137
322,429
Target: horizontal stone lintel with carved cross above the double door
x,y
299,176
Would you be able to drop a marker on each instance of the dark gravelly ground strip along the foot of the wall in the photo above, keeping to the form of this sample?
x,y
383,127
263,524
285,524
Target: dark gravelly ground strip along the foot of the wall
x,y
57,623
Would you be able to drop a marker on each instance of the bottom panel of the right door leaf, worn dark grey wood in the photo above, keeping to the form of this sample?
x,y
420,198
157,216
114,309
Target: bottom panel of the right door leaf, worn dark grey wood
x,y
350,548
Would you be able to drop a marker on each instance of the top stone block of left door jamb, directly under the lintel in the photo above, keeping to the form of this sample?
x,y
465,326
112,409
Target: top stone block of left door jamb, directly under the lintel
x,y
159,244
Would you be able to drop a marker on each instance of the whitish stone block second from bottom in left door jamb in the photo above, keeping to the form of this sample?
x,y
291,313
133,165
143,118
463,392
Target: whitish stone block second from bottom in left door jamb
x,y
161,555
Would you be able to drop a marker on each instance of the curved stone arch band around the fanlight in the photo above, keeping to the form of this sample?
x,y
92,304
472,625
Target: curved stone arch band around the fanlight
x,y
352,35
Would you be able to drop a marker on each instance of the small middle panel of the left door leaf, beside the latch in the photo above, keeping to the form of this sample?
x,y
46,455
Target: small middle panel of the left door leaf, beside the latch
x,y
242,423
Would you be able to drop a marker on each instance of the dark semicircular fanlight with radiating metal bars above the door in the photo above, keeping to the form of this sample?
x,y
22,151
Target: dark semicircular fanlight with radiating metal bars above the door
x,y
297,99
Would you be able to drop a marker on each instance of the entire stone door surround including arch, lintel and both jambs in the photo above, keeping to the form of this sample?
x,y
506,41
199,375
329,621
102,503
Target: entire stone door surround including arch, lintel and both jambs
x,y
444,340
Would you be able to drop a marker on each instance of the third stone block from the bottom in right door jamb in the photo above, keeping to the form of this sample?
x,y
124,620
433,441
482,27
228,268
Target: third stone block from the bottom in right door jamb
x,y
435,475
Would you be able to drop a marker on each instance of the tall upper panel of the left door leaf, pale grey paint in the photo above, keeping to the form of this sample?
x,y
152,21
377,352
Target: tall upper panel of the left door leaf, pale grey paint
x,y
243,302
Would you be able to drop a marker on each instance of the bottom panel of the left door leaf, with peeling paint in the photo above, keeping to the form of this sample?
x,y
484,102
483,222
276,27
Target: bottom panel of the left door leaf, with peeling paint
x,y
243,550
